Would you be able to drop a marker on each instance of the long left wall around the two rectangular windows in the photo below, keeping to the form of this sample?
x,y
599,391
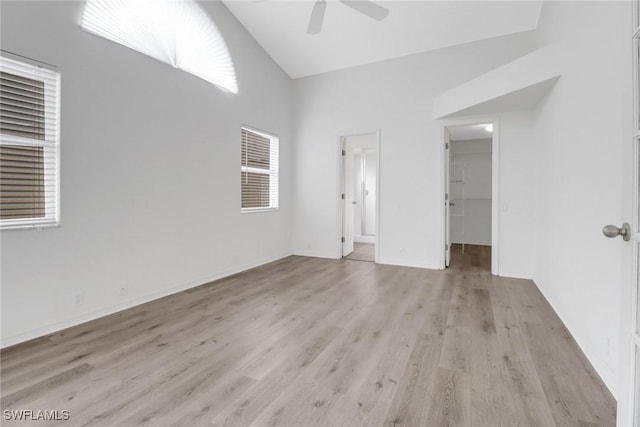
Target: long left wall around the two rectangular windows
x,y
150,189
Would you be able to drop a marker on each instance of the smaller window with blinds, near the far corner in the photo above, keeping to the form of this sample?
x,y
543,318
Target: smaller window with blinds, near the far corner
x,y
258,171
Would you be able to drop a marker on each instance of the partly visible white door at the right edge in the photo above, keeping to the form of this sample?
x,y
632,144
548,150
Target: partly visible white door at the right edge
x,y
629,401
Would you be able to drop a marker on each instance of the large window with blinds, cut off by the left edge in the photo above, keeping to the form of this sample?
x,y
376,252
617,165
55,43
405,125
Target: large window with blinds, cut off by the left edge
x,y
28,145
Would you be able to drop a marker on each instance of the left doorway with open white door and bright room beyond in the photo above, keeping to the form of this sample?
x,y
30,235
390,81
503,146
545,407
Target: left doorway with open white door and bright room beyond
x,y
359,195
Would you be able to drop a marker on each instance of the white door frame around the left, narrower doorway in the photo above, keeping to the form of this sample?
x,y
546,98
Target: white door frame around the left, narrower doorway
x,y
340,208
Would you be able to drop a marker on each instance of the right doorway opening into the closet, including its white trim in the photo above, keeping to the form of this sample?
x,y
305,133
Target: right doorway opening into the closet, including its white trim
x,y
470,195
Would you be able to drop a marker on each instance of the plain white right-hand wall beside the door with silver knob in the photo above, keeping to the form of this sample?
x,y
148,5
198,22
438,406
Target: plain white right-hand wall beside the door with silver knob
x,y
578,138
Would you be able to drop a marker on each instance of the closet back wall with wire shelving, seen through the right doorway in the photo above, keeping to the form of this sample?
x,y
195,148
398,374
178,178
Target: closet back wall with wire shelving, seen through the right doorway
x,y
470,190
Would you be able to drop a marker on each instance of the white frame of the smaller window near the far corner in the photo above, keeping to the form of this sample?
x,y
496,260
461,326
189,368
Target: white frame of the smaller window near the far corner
x,y
273,172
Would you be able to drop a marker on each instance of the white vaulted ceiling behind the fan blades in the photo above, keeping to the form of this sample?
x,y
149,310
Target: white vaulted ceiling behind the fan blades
x,y
349,38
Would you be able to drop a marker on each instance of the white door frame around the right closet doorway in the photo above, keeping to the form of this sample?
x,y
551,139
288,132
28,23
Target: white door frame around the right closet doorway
x,y
495,185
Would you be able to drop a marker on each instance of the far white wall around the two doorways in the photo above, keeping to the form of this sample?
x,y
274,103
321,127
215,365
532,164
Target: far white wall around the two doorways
x,y
396,97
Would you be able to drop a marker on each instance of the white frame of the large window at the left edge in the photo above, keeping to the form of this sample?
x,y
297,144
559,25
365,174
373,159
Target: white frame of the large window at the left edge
x,y
50,77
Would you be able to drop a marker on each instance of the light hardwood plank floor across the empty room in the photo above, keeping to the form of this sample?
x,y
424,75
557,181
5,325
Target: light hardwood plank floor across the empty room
x,y
307,341
